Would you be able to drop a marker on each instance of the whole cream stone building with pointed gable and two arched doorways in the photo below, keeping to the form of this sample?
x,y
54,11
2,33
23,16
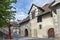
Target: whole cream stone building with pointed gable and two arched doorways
x,y
41,22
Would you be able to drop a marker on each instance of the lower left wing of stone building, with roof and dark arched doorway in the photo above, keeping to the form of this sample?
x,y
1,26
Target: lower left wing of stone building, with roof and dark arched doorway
x,y
25,27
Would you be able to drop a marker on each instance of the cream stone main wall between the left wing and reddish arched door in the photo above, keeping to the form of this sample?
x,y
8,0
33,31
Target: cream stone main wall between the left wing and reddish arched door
x,y
47,23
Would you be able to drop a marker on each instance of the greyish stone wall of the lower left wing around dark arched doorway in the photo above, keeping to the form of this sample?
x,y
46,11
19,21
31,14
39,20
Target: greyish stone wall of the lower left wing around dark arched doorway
x,y
23,27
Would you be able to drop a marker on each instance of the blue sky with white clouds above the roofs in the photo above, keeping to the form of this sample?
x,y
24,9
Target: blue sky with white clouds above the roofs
x,y
23,7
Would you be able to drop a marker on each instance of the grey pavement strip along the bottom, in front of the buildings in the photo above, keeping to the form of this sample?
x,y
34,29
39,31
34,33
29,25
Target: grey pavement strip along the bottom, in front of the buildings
x,y
31,38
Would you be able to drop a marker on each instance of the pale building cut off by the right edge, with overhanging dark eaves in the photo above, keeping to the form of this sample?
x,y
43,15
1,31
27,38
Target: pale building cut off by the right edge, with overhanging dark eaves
x,y
56,9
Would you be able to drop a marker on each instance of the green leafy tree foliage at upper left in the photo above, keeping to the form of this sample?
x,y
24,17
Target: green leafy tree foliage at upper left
x,y
6,14
